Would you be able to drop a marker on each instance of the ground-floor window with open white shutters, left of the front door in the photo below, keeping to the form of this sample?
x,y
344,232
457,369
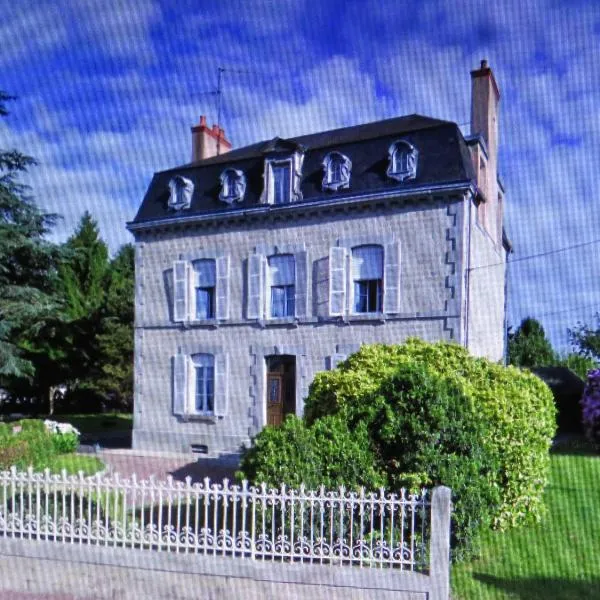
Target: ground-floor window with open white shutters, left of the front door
x,y
200,384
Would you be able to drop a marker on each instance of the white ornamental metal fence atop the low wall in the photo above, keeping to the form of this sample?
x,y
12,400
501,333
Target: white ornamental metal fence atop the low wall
x,y
335,527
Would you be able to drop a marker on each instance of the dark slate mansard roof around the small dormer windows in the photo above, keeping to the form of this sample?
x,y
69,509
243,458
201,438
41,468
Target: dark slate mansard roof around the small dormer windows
x,y
443,159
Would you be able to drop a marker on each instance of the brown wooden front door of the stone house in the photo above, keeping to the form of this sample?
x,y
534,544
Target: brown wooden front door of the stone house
x,y
281,388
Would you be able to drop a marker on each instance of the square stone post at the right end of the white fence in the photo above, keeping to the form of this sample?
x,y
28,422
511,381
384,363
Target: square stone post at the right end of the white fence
x,y
439,545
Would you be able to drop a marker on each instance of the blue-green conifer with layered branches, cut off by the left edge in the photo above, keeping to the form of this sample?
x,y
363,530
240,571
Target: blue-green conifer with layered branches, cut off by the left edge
x,y
28,268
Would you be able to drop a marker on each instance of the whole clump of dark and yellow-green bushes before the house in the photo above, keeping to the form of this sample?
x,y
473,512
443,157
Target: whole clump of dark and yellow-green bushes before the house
x,y
421,415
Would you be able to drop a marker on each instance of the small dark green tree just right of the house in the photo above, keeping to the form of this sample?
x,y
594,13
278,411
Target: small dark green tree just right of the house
x,y
529,347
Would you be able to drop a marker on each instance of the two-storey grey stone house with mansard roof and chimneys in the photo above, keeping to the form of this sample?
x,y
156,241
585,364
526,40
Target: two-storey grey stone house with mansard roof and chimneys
x,y
258,267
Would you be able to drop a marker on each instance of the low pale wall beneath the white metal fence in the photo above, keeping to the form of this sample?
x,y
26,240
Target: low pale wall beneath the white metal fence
x,y
129,574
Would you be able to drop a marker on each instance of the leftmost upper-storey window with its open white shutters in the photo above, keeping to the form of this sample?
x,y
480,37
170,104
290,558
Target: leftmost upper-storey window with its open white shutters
x,y
201,288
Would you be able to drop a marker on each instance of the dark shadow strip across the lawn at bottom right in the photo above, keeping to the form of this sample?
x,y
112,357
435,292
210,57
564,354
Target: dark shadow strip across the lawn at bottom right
x,y
538,588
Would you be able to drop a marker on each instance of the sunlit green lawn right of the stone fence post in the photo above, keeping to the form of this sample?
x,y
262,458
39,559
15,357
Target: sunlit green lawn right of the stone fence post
x,y
556,560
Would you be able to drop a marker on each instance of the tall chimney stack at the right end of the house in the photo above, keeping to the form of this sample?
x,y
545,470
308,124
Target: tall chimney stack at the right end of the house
x,y
485,97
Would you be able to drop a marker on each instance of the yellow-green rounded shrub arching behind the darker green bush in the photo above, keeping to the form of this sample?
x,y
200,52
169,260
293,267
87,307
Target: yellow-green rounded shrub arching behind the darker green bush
x,y
514,408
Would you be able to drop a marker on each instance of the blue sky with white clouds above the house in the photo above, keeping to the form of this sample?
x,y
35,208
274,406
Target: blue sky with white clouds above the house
x,y
108,91
